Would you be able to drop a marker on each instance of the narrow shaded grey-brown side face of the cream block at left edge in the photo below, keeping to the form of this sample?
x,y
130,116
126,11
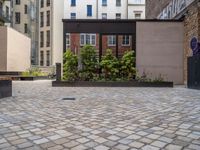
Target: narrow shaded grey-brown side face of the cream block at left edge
x,y
3,48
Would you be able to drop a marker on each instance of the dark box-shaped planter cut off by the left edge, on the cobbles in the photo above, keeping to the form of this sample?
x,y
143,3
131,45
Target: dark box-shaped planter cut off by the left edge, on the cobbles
x,y
5,88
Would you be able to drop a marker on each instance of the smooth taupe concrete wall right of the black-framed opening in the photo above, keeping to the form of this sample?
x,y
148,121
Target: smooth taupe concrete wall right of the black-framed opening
x,y
159,48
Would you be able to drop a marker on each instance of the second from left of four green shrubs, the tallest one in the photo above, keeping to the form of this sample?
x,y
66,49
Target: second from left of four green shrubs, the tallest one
x,y
89,63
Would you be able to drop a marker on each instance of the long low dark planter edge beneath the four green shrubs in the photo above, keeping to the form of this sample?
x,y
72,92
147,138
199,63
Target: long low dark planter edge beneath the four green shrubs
x,y
111,84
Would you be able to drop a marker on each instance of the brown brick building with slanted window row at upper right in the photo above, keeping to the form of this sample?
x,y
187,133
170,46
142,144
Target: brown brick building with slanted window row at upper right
x,y
186,10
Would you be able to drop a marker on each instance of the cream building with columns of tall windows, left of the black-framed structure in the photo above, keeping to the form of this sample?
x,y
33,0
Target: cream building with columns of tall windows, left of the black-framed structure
x,y
51,13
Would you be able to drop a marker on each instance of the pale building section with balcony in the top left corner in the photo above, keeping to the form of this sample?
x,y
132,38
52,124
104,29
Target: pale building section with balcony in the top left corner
x,y
4,12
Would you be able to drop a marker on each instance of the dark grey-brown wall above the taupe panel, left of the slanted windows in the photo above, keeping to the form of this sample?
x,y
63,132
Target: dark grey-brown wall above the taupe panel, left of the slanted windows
x,y
154,7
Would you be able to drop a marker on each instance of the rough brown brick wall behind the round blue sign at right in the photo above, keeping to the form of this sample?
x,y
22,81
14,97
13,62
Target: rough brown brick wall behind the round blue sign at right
x,y
191,29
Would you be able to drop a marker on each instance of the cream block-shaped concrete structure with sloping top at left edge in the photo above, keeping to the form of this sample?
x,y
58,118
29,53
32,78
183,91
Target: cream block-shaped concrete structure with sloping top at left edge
x,y
16,49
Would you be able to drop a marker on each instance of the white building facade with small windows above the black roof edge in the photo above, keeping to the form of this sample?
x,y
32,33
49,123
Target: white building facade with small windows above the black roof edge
x,y
126,9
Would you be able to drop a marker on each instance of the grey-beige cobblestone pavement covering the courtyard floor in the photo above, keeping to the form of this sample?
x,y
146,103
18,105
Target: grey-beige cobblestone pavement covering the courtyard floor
x,y
100,118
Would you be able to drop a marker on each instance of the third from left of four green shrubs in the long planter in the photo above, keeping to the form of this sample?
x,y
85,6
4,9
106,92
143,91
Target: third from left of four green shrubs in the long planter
x,y
110,66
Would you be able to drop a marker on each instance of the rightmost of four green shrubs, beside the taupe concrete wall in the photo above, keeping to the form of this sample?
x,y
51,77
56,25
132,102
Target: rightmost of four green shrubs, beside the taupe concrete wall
x,y
128,70
